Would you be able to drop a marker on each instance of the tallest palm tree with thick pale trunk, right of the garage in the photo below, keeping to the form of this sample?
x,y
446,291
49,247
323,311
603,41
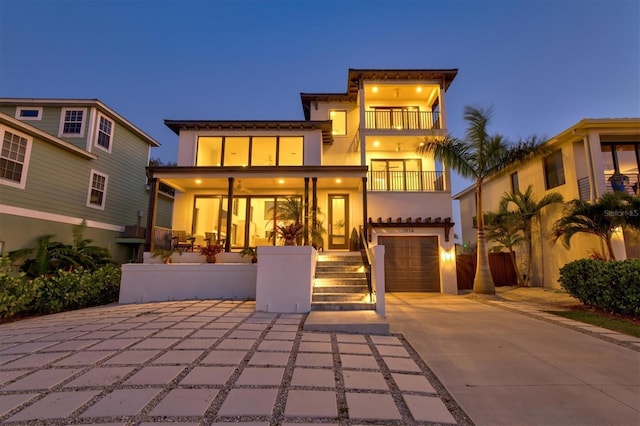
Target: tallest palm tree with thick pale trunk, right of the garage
x,y
478,156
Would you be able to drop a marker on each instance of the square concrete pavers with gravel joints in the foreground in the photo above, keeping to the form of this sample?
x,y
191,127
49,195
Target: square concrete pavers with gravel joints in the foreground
x,y
209,362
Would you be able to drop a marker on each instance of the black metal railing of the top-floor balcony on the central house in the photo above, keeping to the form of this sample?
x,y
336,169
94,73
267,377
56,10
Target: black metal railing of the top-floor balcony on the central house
x,y
402,120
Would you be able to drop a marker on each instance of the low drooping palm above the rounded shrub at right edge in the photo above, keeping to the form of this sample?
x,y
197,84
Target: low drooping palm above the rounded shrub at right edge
x,y
601,218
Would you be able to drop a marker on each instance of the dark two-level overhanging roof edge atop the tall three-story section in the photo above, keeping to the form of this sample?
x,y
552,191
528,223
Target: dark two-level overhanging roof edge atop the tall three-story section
x,y
446,76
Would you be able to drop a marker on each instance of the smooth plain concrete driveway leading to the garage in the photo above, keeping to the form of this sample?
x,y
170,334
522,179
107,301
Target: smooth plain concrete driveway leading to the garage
x,y
506,368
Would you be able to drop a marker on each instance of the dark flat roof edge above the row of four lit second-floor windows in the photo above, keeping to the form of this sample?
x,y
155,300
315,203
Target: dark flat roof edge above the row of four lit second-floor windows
x,y
233,125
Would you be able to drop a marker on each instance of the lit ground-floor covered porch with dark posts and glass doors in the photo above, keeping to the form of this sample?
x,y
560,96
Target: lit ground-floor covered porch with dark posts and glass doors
x,y
241,206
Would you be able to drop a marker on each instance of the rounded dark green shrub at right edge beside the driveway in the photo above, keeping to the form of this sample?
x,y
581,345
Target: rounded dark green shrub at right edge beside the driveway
x,y
612,286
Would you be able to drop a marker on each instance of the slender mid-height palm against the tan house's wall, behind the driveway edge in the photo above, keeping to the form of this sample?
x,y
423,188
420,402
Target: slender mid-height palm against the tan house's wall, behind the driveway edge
x,y
528,208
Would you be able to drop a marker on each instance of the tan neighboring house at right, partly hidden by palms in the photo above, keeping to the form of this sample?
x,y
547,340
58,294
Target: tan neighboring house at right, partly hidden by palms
x,y
583,158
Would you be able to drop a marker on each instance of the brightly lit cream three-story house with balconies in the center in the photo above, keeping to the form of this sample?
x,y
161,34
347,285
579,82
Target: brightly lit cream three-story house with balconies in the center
x,y
352,160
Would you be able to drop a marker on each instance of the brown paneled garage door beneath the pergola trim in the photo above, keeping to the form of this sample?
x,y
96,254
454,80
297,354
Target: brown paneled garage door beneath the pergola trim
x,y
411,263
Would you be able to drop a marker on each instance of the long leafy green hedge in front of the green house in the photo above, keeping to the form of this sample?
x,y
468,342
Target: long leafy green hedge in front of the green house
x,y
61,291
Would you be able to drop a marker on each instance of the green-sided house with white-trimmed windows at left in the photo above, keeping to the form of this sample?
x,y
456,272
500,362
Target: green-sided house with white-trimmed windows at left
x,y
68,160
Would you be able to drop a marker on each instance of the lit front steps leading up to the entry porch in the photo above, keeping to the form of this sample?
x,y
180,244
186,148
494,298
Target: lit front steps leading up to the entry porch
x,y
341,283
